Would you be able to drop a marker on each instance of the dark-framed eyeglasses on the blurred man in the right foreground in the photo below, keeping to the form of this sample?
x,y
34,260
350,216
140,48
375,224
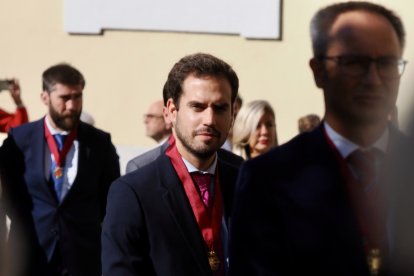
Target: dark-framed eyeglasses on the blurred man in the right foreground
x,y
358,66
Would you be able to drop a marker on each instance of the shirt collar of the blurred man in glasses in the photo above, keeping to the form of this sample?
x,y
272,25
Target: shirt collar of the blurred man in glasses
x,y
346,147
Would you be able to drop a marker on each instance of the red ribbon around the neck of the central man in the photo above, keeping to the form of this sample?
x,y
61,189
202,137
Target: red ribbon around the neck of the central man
x,y
208,222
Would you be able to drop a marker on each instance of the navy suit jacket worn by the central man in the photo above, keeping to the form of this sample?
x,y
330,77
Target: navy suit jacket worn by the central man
x,y
150,228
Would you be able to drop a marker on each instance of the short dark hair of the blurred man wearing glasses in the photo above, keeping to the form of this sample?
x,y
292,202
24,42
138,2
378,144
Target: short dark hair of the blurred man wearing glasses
x,y
323,20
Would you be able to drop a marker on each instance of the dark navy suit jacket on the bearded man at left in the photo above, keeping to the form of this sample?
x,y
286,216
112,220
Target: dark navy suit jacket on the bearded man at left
x,y
39,222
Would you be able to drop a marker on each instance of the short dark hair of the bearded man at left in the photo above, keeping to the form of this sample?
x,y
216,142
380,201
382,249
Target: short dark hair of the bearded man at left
x,y
62,73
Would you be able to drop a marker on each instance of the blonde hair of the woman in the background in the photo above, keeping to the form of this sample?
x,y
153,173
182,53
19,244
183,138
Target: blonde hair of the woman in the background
x,y
246,123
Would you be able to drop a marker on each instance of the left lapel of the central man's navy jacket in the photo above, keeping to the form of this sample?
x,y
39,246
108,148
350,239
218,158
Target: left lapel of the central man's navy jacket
x,y
174,197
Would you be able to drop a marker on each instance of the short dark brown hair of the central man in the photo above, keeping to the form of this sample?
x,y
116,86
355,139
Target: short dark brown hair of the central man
x,y
199,65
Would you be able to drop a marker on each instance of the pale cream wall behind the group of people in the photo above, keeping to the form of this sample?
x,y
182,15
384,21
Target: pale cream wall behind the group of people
x,y
126,70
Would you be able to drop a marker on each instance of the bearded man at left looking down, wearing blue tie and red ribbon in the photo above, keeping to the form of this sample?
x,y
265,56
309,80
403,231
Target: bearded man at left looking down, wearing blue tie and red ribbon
x,y
56,176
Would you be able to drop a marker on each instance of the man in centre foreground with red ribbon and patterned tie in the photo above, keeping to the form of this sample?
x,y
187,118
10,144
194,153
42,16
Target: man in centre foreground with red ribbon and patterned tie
x,y
171,216
